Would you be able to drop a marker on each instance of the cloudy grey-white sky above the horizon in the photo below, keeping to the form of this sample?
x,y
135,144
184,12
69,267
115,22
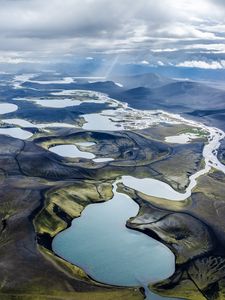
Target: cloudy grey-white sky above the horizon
x,y
180,33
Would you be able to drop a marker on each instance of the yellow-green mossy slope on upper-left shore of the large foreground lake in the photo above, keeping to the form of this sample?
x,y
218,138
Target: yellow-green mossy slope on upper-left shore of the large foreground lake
x,y
66,203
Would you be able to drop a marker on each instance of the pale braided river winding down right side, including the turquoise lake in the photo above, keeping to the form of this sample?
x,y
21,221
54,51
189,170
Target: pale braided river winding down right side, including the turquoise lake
x,y
99,241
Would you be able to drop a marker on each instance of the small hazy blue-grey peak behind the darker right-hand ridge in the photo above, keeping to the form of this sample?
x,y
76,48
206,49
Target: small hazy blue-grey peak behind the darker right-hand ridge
x,y
149,80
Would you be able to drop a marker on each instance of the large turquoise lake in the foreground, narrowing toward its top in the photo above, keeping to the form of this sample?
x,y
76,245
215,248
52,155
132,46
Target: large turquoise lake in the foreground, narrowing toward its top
x,y
100,243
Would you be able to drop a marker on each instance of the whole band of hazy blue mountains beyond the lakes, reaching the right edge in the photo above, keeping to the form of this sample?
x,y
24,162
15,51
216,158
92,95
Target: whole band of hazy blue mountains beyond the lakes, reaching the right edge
x,y
153,91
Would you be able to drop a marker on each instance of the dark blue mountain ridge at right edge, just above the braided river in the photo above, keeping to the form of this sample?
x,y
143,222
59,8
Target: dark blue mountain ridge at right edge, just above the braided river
x,y
197,100
